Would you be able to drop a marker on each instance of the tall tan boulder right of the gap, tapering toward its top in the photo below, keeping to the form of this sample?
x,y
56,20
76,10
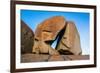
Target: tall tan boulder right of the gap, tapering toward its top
x,y
70,41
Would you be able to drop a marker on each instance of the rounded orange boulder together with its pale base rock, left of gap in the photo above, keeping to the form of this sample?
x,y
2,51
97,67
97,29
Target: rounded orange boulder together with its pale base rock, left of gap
x,y
47,31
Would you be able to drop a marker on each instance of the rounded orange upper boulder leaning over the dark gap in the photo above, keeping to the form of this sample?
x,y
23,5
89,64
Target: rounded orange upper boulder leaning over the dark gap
x,y
49,29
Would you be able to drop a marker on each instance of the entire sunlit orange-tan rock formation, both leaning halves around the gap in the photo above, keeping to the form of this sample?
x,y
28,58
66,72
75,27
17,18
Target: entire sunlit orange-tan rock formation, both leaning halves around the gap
x,y
46,33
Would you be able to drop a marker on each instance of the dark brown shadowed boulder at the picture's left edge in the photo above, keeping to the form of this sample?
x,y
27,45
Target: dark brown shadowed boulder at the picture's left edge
x,y
26,38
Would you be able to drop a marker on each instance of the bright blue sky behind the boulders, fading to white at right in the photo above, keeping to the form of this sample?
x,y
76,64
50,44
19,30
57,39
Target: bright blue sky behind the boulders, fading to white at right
x,y
33,17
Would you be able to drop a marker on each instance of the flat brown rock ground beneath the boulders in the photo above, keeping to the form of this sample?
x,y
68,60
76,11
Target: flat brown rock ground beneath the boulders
x,y
47,58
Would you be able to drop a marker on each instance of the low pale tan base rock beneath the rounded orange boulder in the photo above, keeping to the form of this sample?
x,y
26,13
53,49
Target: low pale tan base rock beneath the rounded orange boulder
x,y
41,47
